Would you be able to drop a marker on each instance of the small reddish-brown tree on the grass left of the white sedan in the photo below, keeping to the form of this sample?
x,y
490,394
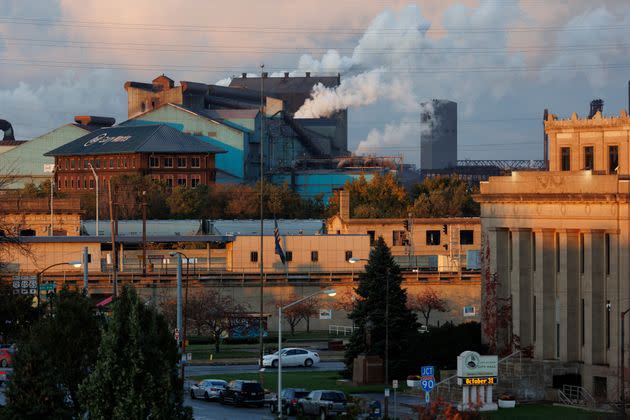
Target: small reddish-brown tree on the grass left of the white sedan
x,y
222,314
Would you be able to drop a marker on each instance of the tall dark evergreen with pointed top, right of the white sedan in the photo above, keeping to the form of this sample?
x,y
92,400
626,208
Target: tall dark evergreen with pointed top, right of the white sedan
x,y
369,311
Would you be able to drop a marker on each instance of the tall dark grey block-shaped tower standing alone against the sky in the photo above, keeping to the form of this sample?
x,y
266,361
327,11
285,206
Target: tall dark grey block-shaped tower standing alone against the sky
x,y
438,138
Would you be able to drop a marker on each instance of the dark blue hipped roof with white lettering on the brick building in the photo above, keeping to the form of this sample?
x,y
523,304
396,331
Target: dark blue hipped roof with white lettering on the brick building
x,y
159,138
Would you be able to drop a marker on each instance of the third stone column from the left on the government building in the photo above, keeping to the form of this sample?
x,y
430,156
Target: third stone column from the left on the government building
x,y
544,290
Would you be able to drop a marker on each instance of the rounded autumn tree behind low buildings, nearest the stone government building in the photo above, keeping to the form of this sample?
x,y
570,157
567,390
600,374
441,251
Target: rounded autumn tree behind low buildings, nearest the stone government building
x,y
445,196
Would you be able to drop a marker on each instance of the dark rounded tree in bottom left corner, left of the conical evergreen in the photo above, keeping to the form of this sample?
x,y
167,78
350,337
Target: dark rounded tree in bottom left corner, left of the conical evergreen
x,y
55,357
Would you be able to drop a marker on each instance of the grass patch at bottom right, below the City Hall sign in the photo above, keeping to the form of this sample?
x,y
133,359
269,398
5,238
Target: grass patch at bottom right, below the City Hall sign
x,y
543,411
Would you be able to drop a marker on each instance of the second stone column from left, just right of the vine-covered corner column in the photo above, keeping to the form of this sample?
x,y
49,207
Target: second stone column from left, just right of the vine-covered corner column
x,y
521,285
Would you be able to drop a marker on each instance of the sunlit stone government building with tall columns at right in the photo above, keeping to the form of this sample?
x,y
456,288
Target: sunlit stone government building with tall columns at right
x,y
558,241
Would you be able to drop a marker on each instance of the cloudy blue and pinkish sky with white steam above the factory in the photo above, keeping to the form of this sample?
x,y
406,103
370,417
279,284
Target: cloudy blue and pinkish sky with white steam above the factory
x,y
502,61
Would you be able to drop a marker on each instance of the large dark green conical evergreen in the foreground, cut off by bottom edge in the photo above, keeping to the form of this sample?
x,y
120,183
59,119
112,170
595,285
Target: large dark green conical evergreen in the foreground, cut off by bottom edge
x,y
136,372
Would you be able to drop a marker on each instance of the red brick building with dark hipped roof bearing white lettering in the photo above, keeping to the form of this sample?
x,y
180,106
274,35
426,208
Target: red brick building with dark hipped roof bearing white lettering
x,y
160,151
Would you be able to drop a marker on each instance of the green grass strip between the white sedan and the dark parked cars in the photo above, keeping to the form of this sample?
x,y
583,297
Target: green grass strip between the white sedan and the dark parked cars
x,y
296,379
